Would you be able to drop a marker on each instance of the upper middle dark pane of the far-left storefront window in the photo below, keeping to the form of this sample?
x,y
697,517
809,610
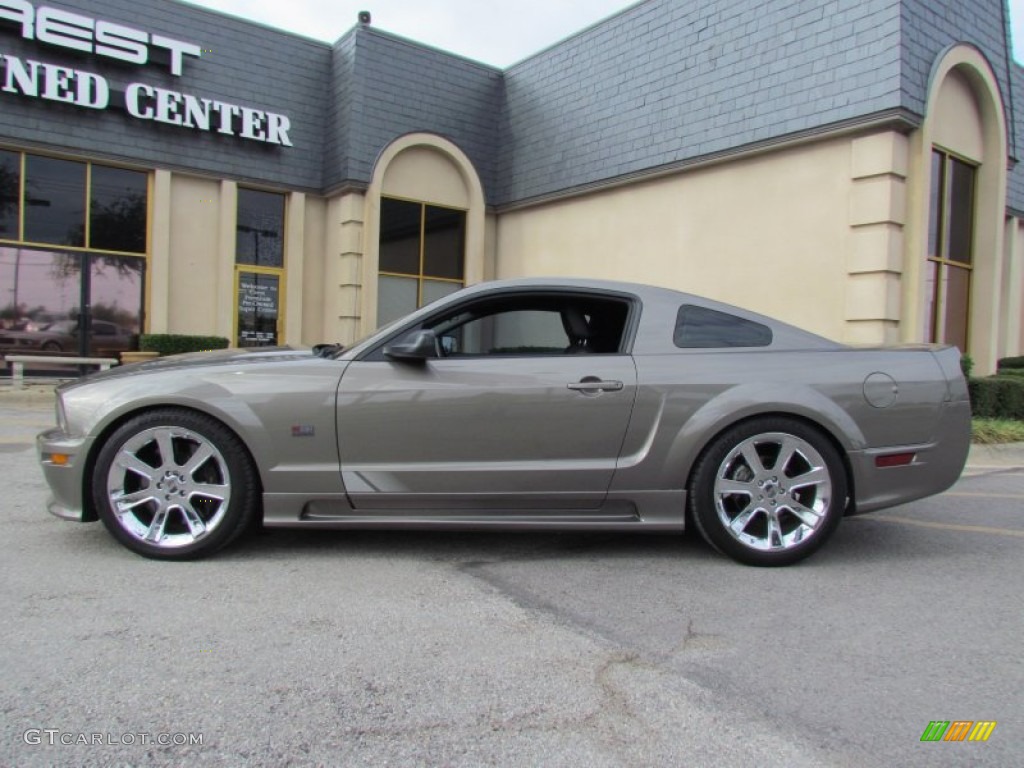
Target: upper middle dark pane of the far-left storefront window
x,y
55,201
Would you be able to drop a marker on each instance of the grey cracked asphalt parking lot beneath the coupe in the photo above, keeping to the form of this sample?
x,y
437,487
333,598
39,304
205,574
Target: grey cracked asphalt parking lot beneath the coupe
x,y
297,649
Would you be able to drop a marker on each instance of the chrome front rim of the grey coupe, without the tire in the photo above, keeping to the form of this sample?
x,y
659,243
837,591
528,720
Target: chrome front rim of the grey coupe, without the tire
x,y
169,487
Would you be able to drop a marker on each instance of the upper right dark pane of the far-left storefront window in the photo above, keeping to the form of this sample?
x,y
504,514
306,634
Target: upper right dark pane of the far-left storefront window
x,y
117,215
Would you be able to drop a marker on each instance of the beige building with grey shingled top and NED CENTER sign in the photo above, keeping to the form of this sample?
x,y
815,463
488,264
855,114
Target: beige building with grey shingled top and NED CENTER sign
x,y
846,165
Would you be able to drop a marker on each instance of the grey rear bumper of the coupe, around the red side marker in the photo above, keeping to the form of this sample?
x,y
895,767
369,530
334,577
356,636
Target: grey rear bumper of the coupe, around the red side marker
x,y
936,466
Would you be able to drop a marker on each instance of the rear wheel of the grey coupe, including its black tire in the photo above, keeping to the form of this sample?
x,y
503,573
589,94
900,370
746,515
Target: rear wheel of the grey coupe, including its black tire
x,y
769,492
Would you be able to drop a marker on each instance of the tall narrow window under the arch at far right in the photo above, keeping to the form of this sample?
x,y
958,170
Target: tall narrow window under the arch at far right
x,y
951,235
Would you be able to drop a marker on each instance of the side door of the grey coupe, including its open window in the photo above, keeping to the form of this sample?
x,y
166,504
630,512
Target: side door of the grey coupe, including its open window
x,y
516,413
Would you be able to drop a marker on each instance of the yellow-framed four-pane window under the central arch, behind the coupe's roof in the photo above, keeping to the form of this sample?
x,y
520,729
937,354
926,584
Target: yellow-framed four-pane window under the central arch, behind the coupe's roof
x,y
422,257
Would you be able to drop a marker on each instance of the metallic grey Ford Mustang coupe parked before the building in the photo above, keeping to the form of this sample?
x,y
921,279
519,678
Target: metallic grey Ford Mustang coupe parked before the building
x,y
513,406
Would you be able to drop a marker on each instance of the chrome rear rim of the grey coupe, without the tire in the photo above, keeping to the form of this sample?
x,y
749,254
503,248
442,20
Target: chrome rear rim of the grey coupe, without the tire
x,y
773,492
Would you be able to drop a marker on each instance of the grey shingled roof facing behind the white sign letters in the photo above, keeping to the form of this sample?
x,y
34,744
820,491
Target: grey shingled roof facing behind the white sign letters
x,y
662,84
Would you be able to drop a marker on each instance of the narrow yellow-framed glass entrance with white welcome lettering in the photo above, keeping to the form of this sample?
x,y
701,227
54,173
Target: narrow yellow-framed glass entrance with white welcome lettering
x,y
260,258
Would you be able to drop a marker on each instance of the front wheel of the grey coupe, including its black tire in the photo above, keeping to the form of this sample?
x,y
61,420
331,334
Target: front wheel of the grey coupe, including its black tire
x,y
175,485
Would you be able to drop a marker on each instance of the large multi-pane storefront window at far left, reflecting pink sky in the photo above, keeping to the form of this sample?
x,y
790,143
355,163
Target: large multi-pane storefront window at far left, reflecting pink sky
x,y
73,240
